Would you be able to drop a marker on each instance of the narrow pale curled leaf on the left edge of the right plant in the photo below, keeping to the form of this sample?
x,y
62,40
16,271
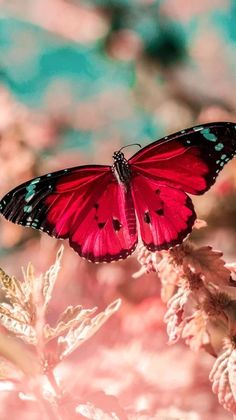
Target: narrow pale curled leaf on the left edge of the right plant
x,y
174,316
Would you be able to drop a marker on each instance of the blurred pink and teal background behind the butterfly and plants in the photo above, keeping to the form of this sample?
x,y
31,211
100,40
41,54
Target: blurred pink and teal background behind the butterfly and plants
x,y
78,80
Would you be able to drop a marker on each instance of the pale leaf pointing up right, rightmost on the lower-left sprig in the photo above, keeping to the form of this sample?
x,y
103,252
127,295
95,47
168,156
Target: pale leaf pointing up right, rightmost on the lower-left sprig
x,y
75,337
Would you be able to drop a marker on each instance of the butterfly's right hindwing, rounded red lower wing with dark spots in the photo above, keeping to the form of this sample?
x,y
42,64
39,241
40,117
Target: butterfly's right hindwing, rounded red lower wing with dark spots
x,y
165,213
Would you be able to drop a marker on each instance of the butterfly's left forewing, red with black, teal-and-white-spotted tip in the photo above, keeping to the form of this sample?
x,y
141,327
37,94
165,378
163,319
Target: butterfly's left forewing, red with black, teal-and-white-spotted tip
x,y
27,204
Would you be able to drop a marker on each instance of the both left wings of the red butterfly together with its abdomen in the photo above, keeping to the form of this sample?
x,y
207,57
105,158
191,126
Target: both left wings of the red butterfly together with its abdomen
x,y
84,204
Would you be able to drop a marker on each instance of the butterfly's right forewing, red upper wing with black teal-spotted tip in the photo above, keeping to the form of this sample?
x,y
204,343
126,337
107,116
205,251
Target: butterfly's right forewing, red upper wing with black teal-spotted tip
x,y
190,159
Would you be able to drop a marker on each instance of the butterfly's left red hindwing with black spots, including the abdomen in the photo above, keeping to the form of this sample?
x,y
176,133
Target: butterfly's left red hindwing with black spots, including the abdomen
x,y
108,231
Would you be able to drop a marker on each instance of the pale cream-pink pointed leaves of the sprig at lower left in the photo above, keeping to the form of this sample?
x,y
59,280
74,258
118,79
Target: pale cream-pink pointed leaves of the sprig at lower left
x,y
24,314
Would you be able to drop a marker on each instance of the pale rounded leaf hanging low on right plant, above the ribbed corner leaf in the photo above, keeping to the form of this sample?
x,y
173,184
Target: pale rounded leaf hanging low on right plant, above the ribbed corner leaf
x,y
195,331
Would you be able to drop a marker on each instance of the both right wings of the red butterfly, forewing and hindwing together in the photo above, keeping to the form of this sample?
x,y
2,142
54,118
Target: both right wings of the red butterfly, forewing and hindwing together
x,y
165,170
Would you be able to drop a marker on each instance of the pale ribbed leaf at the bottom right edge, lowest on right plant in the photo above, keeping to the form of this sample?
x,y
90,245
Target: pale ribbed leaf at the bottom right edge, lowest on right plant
x,y
223,377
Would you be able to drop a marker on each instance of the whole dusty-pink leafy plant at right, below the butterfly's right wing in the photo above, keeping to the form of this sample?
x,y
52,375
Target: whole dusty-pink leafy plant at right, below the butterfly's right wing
x,y
201,306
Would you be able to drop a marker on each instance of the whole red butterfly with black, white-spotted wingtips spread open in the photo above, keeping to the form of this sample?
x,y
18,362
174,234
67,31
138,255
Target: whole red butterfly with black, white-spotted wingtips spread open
x,y
103,209
